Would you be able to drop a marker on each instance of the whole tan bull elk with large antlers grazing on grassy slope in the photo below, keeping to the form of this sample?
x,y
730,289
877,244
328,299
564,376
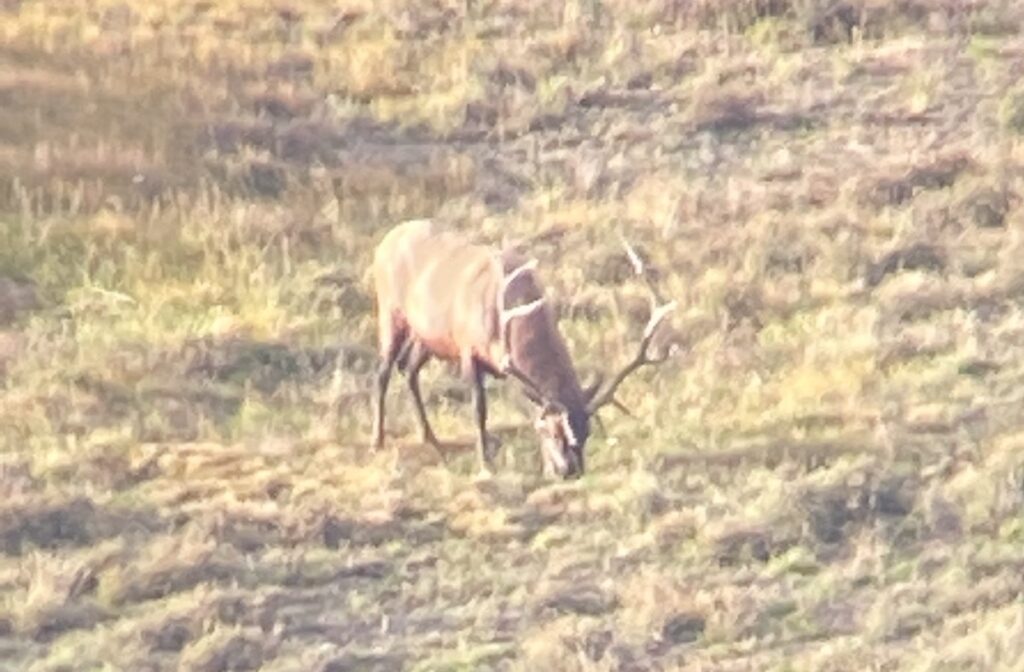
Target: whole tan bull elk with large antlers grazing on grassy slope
x,y
441,296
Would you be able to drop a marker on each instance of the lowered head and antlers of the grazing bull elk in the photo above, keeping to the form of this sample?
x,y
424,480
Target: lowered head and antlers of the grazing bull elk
x,y
564,431
